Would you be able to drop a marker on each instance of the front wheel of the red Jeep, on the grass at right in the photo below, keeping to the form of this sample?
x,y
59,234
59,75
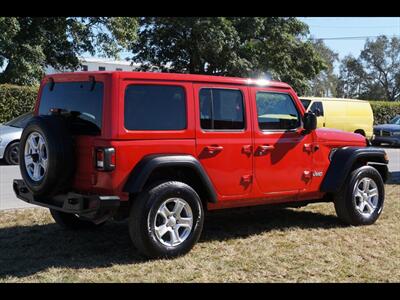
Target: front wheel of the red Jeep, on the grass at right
x,y
360,202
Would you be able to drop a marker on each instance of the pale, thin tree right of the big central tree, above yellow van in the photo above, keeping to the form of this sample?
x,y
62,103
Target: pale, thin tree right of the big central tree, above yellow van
x,y
325,83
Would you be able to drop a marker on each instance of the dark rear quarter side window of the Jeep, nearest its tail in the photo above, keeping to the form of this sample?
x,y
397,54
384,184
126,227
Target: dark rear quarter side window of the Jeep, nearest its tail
x,y
155,107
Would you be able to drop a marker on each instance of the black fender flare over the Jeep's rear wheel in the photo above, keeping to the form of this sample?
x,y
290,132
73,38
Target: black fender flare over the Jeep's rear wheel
x,y
142,171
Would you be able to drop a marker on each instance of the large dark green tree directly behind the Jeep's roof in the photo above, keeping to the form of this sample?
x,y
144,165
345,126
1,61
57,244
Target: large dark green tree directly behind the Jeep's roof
x,y
229,46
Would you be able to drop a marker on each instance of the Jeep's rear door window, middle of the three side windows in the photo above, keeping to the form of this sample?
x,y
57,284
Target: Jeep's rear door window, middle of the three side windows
x,y
221,109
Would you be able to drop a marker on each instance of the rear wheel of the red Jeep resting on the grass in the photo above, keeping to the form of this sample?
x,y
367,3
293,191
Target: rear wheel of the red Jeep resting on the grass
x,y
166,220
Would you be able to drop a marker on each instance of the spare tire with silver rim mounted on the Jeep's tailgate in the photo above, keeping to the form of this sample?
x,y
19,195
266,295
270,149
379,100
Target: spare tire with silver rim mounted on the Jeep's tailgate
x,y
46,155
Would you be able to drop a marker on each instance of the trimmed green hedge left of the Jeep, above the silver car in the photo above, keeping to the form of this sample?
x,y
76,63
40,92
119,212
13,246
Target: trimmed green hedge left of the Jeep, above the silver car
x,y
16,100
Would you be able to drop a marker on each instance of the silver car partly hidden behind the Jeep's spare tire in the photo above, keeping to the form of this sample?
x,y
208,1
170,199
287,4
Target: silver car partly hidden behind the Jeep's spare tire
x,y
10,133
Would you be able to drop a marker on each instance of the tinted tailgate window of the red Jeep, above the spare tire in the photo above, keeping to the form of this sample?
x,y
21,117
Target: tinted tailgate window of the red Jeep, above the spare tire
x,y
81,102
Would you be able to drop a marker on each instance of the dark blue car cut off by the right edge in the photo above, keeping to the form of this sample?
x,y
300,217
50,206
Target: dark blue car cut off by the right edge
x,y
387,133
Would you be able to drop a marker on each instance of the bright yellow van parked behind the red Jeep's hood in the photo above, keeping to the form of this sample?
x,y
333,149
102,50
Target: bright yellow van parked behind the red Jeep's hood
x,y
346,114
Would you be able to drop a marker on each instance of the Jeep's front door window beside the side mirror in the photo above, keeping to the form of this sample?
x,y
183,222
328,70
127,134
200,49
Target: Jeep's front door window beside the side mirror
x,y
276,111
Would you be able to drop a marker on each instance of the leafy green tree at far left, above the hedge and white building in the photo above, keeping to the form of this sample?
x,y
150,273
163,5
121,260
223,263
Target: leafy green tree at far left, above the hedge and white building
x,y
28,45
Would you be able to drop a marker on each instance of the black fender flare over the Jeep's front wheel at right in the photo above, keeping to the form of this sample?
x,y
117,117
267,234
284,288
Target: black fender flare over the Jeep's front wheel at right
x,y
344,158
